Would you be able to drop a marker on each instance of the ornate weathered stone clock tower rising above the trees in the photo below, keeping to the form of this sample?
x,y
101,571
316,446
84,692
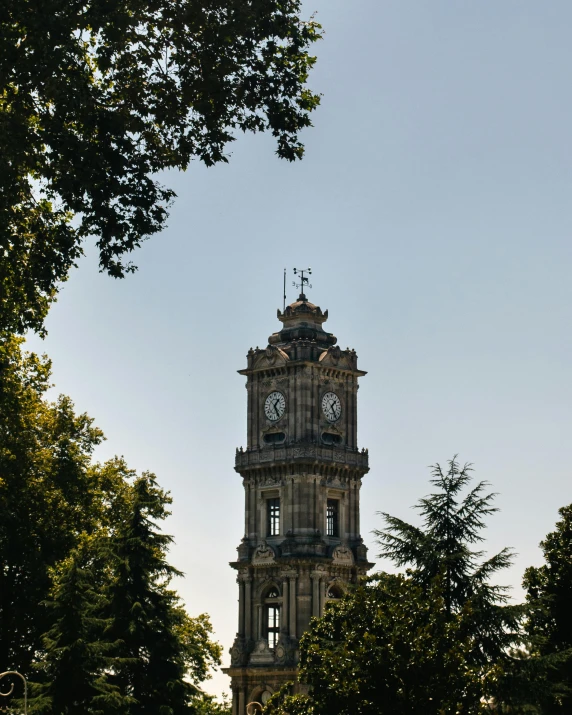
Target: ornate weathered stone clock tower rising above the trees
x,y
302,473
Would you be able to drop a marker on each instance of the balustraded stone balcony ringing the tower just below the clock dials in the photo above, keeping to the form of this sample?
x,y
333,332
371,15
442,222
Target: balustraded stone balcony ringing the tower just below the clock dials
x,y
302,453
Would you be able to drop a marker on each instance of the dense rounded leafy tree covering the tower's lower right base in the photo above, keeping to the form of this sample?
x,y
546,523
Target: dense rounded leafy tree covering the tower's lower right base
x,y
388,648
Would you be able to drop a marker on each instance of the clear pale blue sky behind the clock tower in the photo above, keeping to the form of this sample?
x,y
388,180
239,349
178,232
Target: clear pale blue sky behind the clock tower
x,y
434,208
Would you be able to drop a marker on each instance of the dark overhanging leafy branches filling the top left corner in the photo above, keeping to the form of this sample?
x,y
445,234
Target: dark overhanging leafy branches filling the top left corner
x,y
97,96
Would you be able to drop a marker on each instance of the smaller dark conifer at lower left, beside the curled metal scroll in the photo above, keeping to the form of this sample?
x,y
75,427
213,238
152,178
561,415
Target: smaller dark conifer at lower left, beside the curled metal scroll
x,y
77,656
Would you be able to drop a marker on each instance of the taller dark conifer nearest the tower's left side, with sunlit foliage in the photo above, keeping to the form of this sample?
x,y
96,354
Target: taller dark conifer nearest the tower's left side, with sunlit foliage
x,y
158,642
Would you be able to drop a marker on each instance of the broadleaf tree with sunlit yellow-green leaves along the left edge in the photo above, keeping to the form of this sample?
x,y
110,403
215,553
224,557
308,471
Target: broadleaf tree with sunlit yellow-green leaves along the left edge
x,y
49,495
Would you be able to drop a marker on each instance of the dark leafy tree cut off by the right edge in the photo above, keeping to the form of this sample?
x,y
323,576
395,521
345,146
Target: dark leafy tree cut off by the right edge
x,y
549,624
